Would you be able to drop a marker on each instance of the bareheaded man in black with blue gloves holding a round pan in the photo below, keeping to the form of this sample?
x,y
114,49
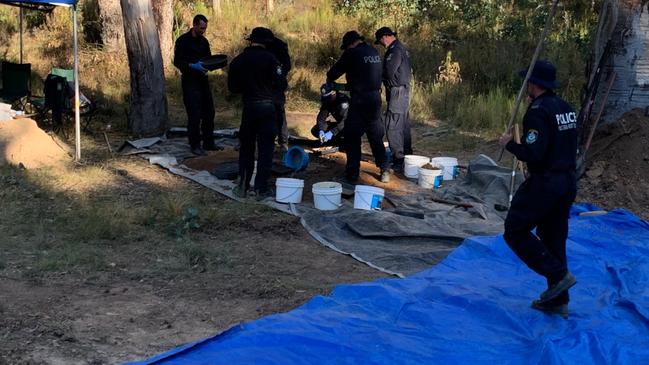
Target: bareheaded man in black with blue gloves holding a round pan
x,y
197,96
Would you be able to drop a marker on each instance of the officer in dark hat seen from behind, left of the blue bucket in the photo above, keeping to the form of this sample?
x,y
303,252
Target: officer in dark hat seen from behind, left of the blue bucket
x,y
257,74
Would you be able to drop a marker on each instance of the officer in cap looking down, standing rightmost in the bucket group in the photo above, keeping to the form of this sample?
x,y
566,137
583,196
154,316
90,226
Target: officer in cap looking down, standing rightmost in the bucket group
x,y
397,74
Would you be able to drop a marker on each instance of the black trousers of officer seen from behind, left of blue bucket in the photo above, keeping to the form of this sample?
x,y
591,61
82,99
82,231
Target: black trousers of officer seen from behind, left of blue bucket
x,y
258,130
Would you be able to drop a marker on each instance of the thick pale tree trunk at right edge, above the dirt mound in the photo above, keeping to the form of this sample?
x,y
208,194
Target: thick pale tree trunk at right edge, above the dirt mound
x,y
628,58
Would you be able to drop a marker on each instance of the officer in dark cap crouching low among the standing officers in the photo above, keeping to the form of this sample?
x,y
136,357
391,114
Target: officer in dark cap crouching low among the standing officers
x,y
335,104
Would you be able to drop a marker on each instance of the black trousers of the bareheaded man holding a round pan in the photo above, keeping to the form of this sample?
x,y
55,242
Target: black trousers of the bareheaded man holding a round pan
x,y
197,98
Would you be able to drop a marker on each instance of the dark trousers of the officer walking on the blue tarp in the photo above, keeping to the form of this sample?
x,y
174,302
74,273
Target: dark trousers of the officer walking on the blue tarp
x,y
543,202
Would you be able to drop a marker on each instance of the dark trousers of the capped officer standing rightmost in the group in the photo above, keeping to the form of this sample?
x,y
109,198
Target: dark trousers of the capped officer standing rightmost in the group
x,y
397,122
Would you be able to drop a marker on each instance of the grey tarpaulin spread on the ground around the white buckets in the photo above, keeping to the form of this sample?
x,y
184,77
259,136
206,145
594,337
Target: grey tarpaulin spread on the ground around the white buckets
x,y
386,240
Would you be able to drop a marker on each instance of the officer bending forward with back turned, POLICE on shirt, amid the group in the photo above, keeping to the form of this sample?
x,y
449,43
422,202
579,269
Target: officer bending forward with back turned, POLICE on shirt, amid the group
x,y
361,64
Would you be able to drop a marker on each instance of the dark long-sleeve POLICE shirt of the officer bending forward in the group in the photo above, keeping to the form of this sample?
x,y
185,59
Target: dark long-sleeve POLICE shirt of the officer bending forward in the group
x,y
362,68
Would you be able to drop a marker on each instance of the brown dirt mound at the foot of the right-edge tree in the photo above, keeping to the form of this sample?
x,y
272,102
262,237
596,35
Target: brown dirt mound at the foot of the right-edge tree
x,y
617,174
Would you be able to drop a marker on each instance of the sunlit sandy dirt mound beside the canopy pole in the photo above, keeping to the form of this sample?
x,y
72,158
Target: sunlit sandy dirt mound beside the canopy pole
x,y
22,142
